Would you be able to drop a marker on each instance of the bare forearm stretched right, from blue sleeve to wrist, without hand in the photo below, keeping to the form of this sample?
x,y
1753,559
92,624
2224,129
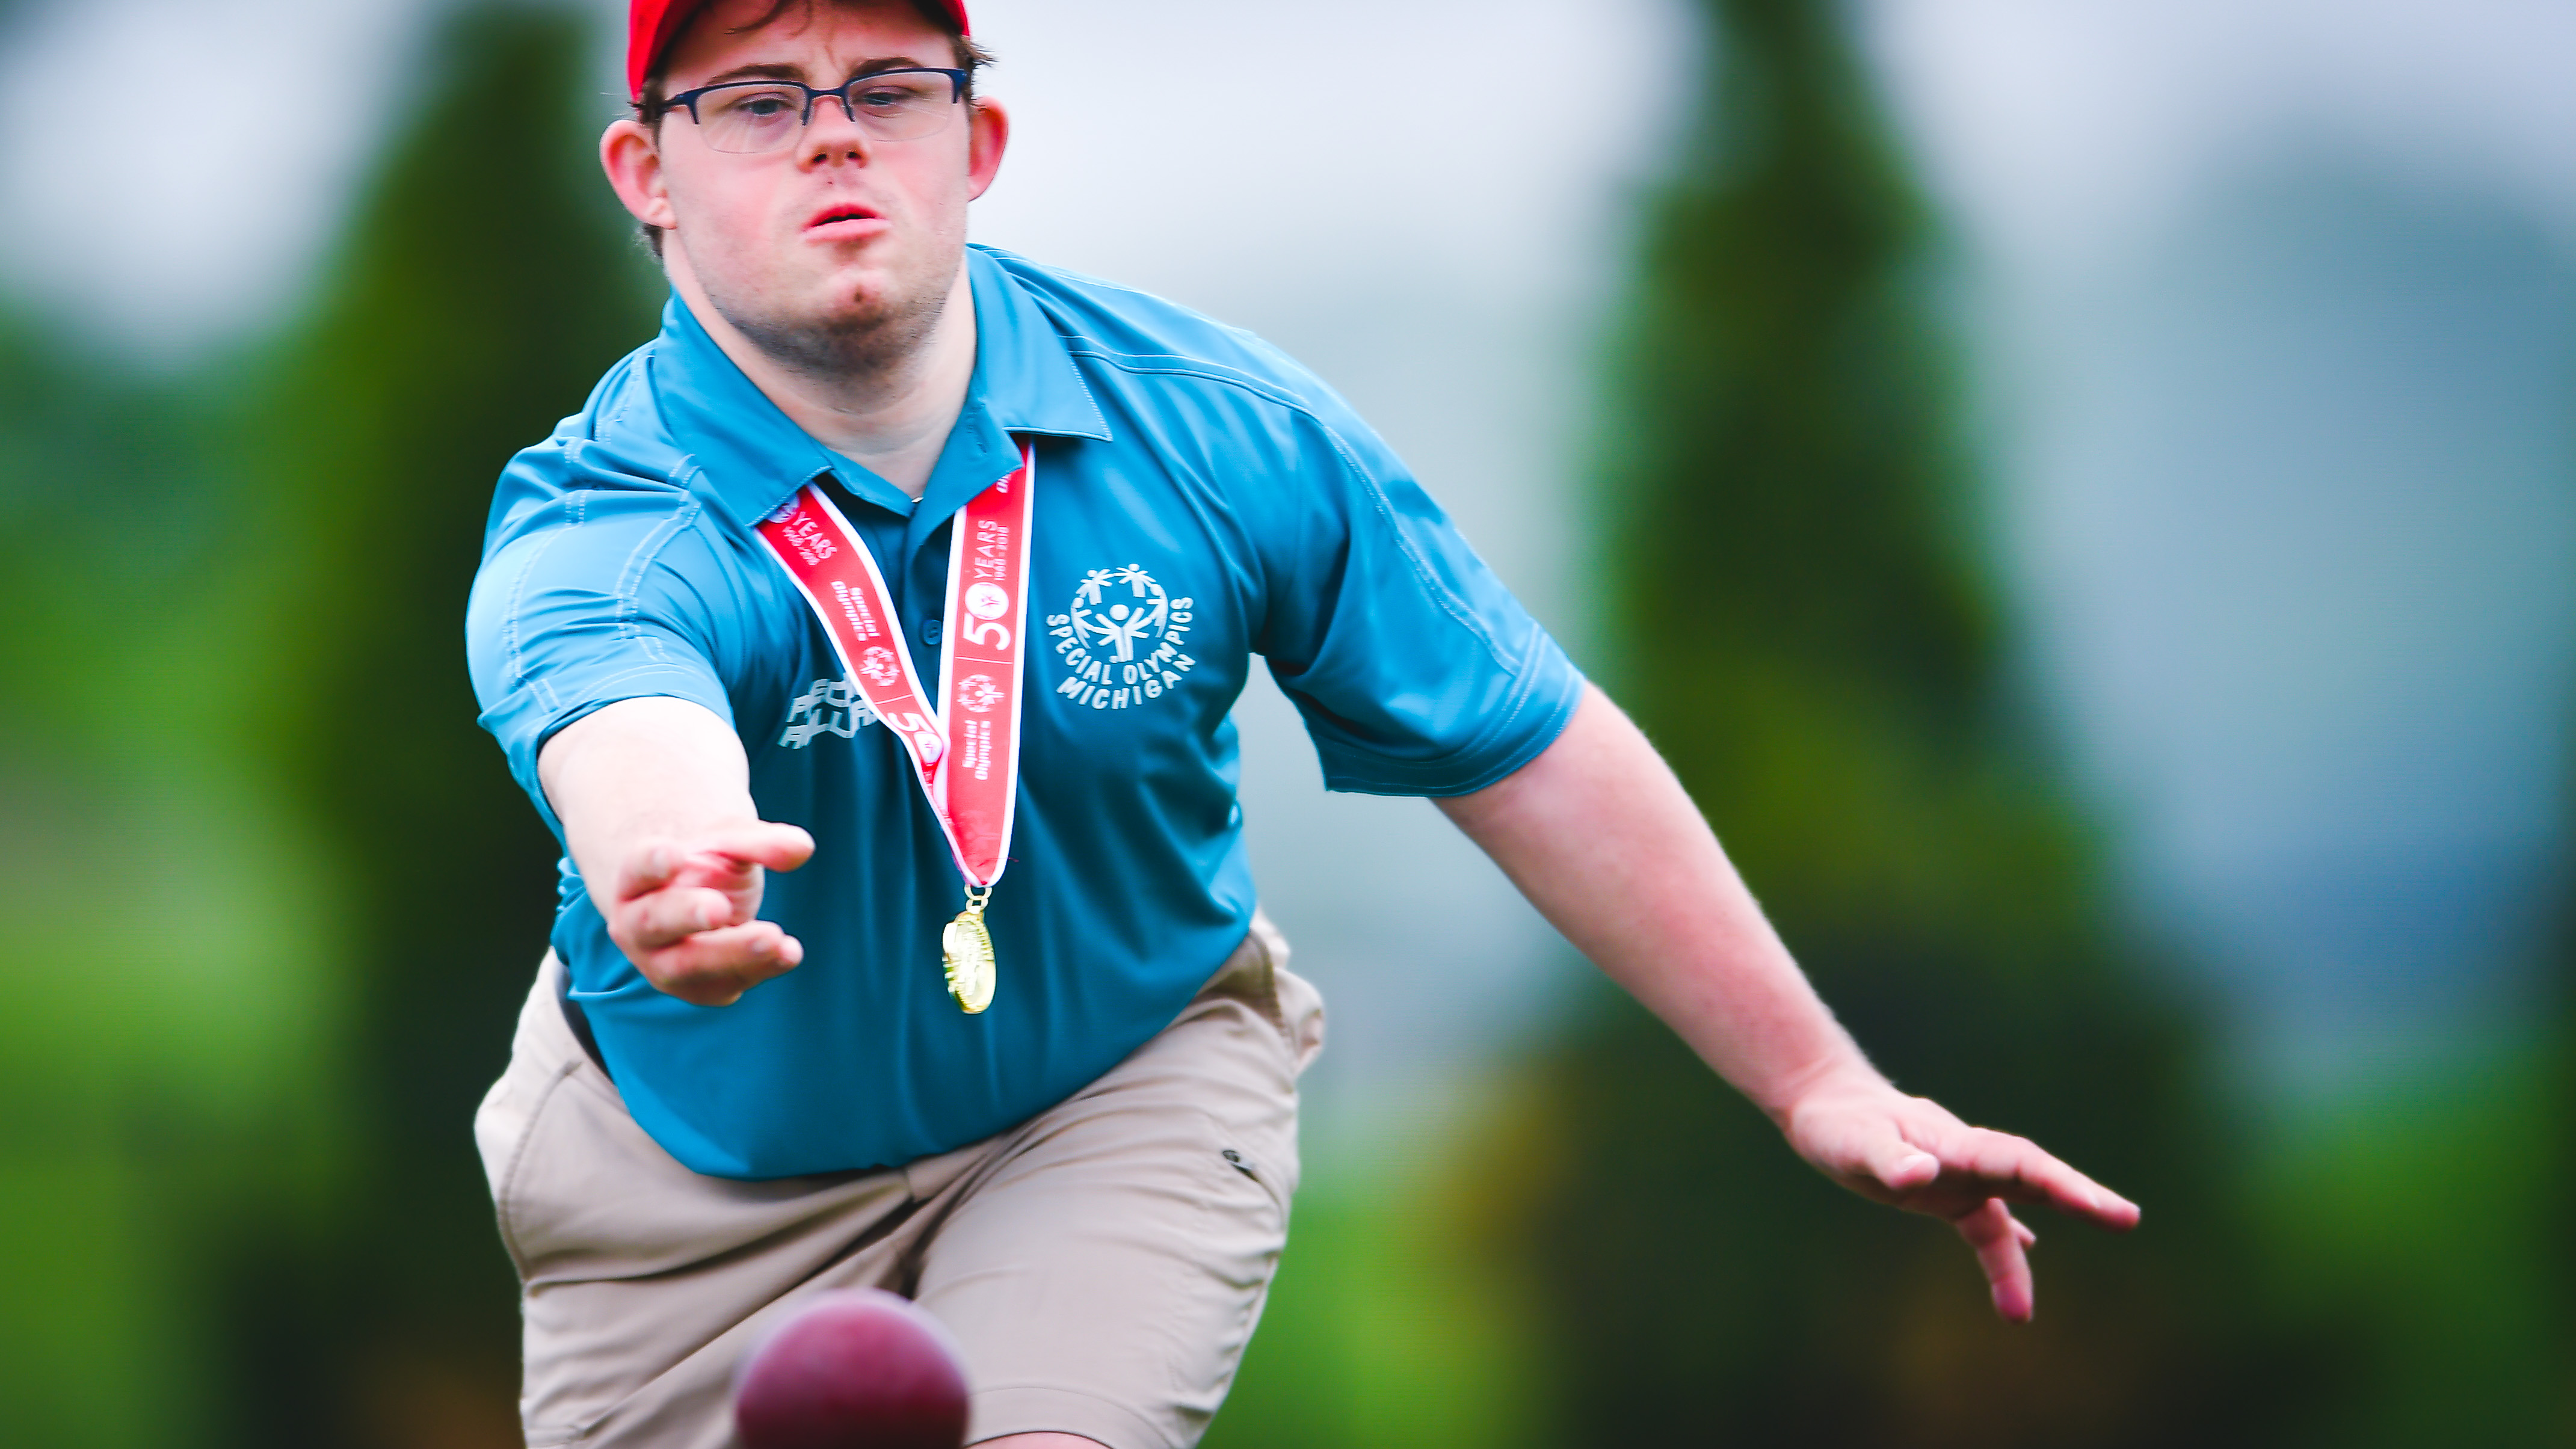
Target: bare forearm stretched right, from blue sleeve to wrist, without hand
x,y
1604,840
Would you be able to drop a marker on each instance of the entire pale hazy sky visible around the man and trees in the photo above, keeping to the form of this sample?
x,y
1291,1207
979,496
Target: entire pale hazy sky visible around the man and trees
x,y
2271,313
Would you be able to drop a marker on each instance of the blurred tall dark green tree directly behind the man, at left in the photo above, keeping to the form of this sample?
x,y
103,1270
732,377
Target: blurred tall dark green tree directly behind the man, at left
x,y
478,297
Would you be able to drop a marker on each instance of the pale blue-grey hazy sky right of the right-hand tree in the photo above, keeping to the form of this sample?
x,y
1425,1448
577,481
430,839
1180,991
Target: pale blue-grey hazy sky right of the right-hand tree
x,y
2278,338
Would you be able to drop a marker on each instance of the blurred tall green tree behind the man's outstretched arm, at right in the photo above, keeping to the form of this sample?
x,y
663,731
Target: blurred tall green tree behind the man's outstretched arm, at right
x,y
1804,622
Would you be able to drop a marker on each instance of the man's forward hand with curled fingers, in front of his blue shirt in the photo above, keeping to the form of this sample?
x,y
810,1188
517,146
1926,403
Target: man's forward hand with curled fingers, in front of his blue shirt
x,y
689,912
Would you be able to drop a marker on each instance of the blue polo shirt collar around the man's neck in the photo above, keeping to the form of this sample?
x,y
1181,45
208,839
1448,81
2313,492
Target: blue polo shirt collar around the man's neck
x,y
753,457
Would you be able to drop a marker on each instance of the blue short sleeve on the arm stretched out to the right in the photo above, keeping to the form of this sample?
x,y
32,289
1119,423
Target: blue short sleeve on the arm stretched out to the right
x,y
1416,670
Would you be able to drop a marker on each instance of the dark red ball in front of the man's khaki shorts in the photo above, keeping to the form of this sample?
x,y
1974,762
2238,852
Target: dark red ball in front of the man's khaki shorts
x,y
854,1371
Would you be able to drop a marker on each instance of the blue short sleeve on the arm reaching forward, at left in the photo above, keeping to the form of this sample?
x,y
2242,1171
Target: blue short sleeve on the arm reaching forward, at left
x,y
581,604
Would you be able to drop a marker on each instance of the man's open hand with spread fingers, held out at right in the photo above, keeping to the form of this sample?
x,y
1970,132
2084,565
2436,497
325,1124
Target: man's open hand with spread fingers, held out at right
x,y
1910,1152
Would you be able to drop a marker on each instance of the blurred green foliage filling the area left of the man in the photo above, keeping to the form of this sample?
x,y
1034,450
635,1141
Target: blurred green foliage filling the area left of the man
x,y
298,902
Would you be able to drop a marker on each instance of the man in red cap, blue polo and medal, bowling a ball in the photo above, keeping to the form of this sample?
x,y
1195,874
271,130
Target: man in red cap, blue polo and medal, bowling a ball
x,y
869,642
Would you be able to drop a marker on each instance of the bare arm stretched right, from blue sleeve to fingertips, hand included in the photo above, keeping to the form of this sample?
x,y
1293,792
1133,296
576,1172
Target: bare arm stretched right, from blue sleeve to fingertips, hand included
x,y
1606,843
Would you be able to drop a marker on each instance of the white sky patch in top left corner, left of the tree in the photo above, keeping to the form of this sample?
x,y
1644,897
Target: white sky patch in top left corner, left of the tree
x,y
164,184
